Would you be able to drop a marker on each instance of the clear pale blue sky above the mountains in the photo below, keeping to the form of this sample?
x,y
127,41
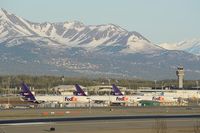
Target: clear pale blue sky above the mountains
x,y
157,20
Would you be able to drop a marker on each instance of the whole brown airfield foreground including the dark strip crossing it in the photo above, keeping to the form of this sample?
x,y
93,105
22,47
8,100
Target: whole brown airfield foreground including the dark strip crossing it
x,y
100,120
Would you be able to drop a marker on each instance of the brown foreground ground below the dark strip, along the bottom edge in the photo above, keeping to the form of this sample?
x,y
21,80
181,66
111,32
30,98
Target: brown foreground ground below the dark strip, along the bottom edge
x,y
106,126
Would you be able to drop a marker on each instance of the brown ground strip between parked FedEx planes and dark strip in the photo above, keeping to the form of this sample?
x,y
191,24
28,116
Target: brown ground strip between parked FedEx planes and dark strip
x,y
68,112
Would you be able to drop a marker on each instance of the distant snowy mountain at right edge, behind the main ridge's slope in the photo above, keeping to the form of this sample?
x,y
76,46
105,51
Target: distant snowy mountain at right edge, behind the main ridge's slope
x,y
192,46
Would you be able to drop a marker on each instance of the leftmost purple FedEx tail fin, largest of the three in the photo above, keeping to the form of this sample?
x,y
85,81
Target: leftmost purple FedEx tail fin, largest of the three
x,y
27,94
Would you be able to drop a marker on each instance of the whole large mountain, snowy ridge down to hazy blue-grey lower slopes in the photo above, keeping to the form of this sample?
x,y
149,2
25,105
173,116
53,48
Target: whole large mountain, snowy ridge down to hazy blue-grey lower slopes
x,y
75,49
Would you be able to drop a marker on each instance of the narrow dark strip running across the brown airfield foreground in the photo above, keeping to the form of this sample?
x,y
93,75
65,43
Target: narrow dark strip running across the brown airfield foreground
x,y
98,118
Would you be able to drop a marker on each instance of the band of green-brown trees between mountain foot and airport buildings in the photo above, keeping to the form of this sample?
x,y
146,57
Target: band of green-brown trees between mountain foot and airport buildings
x,y
44,82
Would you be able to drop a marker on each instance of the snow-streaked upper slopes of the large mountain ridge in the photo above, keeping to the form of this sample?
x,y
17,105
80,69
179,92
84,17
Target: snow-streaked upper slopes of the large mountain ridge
x,y
16,30
